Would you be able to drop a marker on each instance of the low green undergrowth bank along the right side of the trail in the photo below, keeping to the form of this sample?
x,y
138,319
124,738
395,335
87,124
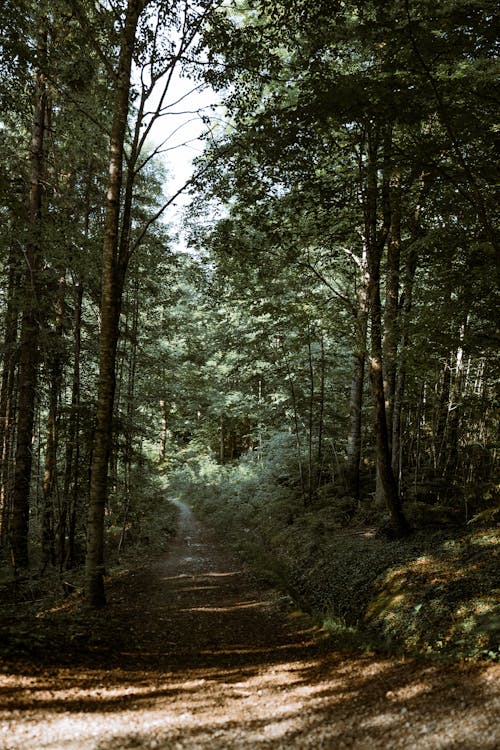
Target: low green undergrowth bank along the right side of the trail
x,y
435,592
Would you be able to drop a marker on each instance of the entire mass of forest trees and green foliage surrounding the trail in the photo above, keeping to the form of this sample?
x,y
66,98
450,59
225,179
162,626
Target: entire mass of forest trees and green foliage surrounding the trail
x,y
325,333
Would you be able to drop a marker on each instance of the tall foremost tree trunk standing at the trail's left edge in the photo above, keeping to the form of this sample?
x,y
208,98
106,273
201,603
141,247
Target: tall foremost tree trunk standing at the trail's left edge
x,y
113,273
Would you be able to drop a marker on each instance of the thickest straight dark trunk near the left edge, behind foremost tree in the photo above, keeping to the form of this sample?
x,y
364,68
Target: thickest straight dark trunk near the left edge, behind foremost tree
x,y
31,318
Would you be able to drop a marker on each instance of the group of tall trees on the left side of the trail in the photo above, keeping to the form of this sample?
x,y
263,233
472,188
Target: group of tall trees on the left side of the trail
x,y
68,56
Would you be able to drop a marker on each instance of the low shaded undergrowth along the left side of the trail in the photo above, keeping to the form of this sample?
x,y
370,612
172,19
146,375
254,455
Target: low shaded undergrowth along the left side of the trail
x,y
43,612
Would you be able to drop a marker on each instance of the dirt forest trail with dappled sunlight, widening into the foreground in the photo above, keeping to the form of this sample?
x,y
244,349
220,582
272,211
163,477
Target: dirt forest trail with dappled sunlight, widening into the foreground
x,y
194,654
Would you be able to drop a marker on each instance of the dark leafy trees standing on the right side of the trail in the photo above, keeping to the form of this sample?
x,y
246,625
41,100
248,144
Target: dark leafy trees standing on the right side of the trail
x,y
370,126
